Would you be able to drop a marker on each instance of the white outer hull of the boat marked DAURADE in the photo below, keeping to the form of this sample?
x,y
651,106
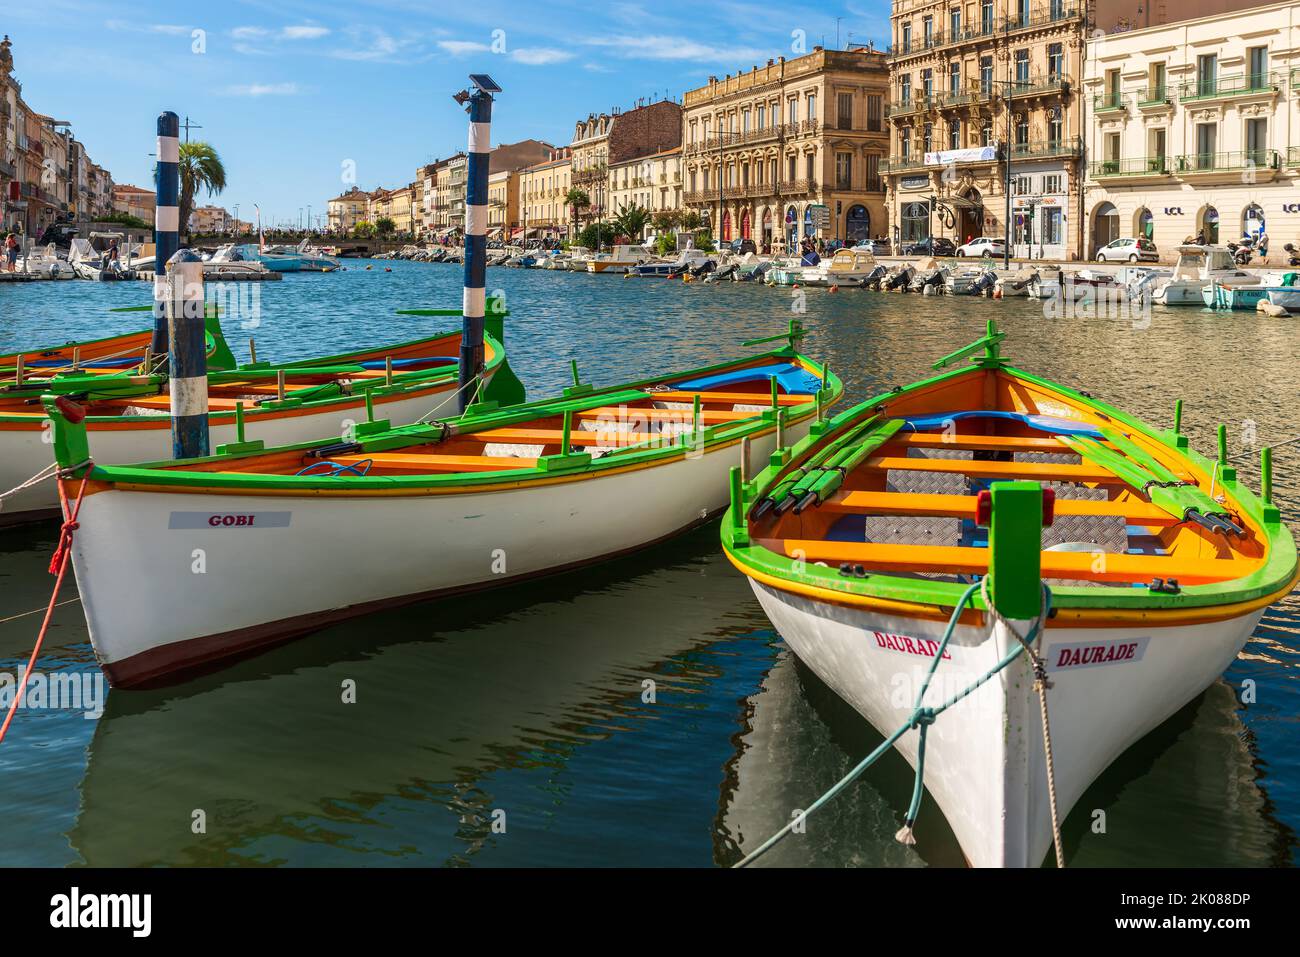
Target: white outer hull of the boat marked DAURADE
x,y
985,756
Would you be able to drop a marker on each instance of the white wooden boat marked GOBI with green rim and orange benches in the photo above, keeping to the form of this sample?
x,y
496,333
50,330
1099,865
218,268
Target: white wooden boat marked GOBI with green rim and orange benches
x,y
300,536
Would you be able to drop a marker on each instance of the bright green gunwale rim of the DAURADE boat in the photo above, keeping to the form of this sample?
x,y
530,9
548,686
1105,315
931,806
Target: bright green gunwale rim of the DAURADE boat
x,y
1269,581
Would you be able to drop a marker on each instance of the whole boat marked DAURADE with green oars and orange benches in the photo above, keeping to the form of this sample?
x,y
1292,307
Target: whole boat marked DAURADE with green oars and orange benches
x,y
863,542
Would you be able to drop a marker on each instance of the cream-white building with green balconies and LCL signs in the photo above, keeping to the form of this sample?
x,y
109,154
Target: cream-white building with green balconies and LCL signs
x,y
1195,129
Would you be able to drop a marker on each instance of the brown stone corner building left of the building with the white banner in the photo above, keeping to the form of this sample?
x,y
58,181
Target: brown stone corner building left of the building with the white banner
x,y
790,150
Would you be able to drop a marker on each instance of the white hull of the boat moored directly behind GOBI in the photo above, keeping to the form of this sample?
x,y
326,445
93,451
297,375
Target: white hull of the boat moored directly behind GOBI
x,y
25,447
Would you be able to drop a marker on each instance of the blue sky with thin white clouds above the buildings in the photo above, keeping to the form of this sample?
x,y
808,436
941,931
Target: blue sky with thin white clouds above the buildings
x,y
300,98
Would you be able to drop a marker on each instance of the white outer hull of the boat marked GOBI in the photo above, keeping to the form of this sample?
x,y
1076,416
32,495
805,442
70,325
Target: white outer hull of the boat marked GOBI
x,y
391,551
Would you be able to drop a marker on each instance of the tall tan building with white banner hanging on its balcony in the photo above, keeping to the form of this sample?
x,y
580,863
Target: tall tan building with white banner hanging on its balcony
x,y
985,94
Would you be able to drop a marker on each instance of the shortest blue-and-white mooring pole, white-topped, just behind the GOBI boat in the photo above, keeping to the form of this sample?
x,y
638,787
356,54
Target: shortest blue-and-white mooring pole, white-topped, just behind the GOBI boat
x,y
188,357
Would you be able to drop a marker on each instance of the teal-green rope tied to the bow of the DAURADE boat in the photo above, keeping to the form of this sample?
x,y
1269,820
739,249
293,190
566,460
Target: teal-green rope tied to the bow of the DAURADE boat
x,y
921,718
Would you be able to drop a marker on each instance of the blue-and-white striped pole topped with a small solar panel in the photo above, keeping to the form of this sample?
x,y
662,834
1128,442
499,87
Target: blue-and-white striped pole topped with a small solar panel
x,y
476,246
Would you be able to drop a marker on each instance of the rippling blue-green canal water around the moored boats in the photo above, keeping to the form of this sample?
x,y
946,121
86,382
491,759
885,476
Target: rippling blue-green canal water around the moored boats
x,y
528,707
